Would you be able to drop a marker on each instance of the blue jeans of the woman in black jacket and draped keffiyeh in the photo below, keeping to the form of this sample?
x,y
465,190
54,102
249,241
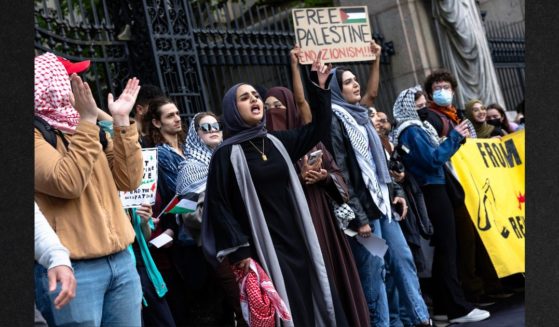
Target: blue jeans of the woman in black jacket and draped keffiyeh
x,y
402,277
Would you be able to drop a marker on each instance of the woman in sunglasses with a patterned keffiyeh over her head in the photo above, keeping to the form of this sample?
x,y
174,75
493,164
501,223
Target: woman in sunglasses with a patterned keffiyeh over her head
x,y
213,286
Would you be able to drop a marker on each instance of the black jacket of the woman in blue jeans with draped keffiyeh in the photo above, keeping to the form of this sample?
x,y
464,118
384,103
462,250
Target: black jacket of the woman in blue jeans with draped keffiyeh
x,y
360,199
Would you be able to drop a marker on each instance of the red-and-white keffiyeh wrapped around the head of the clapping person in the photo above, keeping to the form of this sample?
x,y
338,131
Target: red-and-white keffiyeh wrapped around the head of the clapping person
x,y
52,94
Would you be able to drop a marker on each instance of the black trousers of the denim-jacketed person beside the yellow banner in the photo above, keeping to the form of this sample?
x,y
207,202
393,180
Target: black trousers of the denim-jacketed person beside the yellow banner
x,y
448,296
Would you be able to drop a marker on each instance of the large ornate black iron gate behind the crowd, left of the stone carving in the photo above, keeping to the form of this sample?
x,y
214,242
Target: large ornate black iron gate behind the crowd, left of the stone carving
x,y
193,50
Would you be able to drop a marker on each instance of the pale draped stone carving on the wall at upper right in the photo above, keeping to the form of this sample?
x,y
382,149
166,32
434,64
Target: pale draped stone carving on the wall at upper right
x,y
465,51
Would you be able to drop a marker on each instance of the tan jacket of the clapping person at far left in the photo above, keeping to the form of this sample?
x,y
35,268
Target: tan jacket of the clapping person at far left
x,y
76,188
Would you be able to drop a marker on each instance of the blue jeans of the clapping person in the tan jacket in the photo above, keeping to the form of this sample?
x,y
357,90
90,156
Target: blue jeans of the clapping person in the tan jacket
x,y
108,293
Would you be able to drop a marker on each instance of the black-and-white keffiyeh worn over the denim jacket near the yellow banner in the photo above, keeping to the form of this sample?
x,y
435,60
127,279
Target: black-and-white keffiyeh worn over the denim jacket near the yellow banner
x,y
406,116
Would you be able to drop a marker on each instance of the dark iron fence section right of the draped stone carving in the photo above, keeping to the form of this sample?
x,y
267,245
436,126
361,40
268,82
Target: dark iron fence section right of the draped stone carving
x,y
507,44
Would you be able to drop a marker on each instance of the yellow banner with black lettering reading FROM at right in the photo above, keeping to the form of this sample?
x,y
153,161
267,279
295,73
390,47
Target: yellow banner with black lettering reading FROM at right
x,y
492,174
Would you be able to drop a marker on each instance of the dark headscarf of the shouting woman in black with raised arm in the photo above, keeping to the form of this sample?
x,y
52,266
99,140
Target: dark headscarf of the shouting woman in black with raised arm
x,y
237,129
